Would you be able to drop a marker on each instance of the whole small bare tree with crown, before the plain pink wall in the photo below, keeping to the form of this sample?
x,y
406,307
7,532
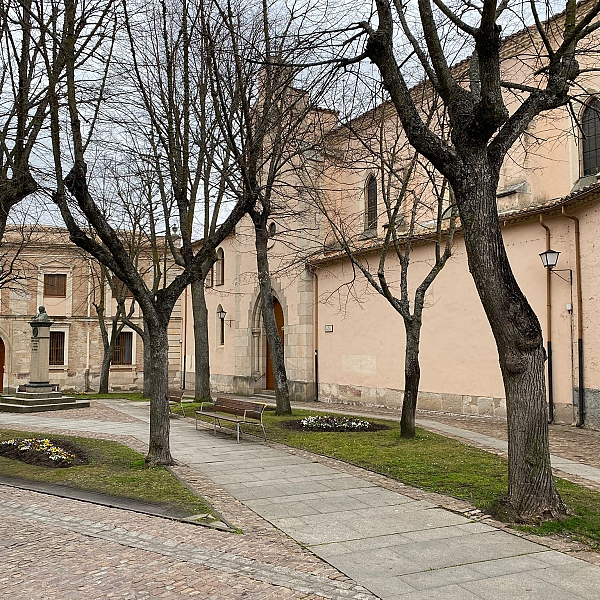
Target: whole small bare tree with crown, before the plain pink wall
x,y
412,195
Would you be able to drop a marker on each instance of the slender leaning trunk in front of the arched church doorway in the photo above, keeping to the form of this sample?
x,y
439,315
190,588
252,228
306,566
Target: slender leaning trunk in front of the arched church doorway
x,y
282,396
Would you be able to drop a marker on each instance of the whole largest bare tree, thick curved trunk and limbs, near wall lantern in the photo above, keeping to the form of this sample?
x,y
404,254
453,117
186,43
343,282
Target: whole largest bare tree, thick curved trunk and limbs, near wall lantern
x,y
484,124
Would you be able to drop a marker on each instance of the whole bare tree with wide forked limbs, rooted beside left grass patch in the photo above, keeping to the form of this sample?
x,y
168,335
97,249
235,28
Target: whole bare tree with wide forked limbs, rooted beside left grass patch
x,y
171,150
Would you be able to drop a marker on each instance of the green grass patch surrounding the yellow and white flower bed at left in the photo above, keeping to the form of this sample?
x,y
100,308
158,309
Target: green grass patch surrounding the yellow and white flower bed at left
x,y
113,469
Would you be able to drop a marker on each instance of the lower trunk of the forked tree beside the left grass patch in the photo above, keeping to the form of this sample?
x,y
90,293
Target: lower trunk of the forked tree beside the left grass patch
x,y
159,452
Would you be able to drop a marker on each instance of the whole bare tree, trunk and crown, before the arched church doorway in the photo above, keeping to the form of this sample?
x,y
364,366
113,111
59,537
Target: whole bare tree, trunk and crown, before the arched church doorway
x,y
266,123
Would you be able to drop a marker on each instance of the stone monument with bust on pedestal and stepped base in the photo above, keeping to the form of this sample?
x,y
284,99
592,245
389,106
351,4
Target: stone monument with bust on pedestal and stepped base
x,y
37,395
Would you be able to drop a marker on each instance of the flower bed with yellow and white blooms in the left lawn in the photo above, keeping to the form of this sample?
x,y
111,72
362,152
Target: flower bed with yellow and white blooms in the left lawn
x,y
42,452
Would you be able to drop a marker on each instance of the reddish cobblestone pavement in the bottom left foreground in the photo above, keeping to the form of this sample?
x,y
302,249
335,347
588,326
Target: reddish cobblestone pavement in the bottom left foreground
x,y
55,548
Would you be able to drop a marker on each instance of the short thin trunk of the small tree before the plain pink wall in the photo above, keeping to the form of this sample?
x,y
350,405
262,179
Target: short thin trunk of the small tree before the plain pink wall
x,y
412,377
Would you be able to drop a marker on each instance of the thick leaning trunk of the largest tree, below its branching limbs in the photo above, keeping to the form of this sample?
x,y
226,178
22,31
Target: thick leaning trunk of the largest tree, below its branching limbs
x,y
532,493
